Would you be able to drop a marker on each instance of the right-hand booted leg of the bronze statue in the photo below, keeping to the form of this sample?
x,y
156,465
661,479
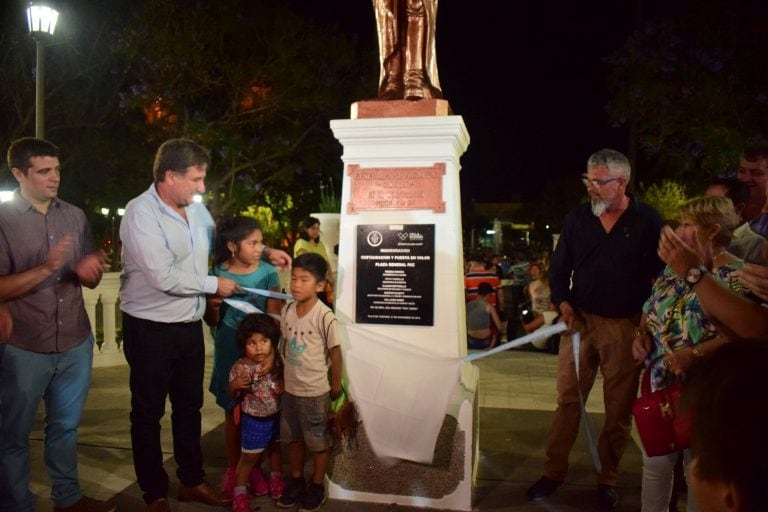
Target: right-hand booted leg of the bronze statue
x,y
416,79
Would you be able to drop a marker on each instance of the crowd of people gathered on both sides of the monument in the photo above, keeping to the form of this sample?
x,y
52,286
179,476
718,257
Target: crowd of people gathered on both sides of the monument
x,y
683,304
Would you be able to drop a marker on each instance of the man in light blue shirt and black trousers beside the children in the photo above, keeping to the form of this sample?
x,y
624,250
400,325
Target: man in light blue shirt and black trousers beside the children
x,y
166,239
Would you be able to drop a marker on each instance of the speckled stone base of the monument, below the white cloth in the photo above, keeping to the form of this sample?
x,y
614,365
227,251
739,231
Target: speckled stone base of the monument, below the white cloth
x,y
357,474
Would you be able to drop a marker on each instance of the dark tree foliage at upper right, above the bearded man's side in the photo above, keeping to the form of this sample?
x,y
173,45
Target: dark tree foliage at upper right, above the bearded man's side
x,y
692,86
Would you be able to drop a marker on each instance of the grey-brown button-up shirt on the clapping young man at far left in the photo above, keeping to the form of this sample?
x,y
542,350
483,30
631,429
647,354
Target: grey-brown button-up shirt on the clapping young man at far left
x,y
51,317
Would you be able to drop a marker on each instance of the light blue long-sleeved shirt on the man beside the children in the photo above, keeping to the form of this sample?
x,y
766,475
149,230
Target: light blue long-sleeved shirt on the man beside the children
x,y
165,260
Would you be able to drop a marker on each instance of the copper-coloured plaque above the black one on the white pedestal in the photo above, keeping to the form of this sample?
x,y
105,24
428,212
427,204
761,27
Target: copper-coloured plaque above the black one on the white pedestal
x,y
396,188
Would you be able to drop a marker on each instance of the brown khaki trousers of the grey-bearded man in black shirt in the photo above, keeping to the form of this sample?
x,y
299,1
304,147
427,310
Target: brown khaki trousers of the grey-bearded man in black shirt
x,y
606,343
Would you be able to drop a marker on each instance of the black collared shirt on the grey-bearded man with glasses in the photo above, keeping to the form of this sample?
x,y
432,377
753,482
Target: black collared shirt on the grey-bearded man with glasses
x,y
607,274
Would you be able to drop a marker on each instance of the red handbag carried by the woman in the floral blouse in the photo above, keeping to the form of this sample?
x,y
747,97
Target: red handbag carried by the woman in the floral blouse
x,y
662,426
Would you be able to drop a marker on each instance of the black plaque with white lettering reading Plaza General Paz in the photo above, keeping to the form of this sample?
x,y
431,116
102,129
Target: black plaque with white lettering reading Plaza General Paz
x,y
395,274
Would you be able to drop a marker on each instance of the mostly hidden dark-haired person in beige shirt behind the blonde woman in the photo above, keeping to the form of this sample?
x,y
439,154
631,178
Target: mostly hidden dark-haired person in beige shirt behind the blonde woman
x,y
745,244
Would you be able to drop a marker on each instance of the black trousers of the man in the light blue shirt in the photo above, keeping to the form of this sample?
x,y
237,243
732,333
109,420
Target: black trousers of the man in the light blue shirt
x,y
166,360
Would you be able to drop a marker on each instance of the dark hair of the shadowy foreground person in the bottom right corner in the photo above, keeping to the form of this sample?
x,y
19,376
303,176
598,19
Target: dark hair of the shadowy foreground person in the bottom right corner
x,y
725,394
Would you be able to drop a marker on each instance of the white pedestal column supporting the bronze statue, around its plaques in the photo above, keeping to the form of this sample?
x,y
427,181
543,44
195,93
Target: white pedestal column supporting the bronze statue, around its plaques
x,y
408,143
